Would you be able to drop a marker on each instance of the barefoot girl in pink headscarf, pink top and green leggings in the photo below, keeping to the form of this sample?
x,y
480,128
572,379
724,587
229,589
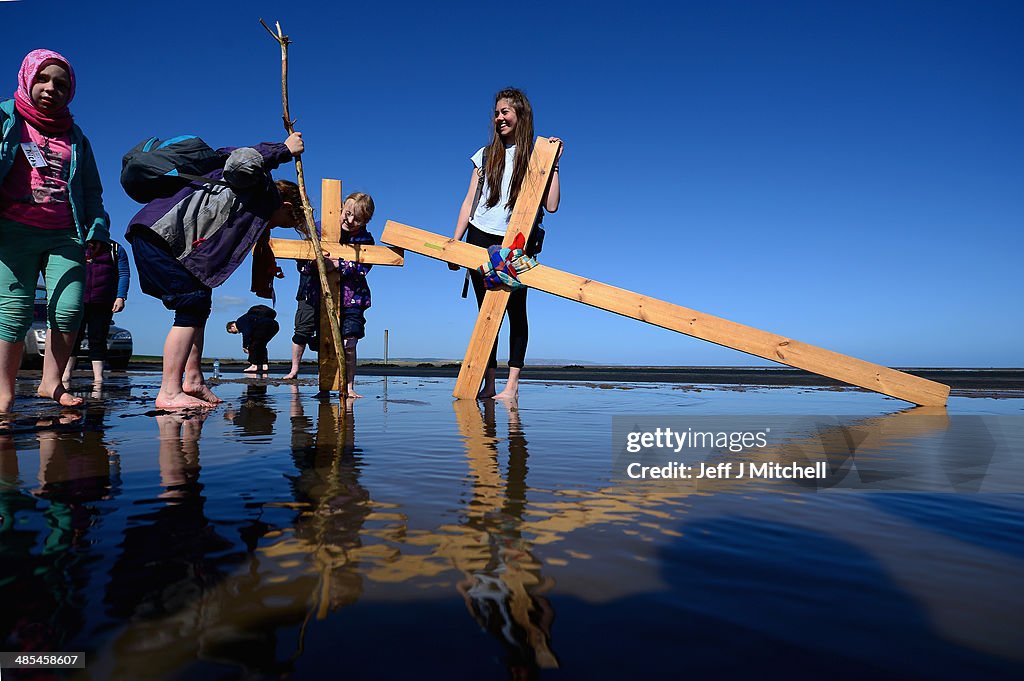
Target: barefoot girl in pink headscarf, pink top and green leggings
x,y
51,206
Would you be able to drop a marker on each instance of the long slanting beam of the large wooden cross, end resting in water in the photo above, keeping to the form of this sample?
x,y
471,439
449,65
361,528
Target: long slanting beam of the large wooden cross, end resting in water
x,y
675,318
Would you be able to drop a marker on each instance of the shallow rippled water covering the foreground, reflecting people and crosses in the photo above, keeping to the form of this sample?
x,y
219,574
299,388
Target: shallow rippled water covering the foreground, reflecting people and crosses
x,y
279,537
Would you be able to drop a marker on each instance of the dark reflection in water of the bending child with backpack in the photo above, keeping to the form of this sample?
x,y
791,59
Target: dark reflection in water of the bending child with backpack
x,y
179,580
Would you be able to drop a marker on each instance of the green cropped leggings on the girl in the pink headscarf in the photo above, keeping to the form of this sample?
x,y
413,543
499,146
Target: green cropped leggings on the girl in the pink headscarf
x,y
27,251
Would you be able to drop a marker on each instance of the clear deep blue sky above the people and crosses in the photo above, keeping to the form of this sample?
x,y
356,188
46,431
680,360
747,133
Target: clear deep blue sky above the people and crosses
x,y
847,175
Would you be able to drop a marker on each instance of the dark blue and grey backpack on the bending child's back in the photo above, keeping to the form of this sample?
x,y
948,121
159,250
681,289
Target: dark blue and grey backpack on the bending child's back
x,y
157,169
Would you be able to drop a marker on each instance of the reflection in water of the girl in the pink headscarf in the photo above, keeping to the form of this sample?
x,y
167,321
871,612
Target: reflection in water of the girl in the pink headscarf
x,y
45,560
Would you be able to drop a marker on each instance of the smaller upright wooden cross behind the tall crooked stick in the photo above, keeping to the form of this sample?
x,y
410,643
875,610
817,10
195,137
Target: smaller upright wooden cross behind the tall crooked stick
x,y
292,249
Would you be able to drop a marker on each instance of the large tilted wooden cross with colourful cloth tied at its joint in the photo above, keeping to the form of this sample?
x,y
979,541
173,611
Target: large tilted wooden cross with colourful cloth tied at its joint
x,y
675,318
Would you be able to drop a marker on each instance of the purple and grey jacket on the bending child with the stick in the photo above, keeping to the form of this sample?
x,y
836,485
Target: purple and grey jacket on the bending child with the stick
x,y
210,229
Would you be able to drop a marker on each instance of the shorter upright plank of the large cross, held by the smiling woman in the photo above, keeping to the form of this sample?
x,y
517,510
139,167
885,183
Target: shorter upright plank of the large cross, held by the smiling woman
x,y
489,321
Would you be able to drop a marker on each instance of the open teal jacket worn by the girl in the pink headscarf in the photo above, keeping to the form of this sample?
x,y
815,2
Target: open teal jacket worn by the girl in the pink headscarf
x,y
87,192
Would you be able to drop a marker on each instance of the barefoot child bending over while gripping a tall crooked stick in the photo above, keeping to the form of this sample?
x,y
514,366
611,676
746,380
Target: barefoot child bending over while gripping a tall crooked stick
x,y
188,244
